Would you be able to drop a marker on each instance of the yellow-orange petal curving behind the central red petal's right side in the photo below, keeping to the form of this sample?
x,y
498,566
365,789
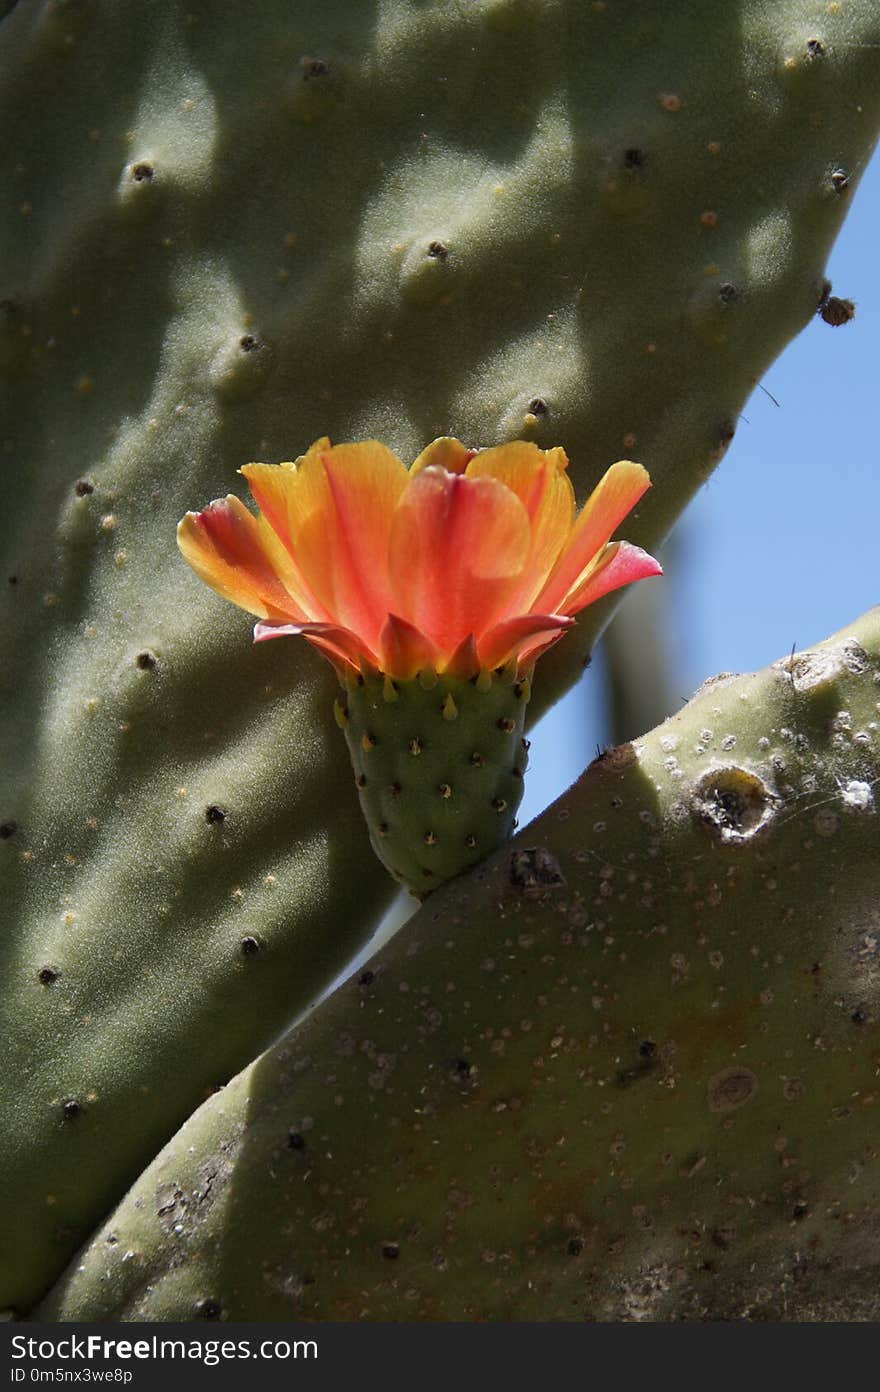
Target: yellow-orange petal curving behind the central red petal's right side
x,y
540,481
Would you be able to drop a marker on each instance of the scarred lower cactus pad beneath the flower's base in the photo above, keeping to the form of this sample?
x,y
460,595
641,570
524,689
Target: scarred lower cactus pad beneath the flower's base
x,y
626,1070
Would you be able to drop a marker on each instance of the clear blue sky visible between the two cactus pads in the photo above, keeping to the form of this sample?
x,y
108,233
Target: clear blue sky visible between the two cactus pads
x,y
783,545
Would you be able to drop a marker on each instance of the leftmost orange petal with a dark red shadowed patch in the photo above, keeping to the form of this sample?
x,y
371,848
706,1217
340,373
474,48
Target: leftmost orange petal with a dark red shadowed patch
x,y
240,557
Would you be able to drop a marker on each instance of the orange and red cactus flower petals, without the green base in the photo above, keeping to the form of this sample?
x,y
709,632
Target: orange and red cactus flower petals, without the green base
x,y
466,562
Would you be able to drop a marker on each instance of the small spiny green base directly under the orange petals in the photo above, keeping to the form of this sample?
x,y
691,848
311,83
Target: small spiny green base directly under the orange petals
x,y
439,765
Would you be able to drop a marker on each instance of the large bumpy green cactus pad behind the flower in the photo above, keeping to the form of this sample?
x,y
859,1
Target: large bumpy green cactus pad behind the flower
x,y
219,240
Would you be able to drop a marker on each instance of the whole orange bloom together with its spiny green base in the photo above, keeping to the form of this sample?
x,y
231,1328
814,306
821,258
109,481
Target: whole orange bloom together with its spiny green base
x,y
432,591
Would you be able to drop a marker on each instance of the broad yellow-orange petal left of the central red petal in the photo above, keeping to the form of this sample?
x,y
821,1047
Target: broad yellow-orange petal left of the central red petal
x,y
339,503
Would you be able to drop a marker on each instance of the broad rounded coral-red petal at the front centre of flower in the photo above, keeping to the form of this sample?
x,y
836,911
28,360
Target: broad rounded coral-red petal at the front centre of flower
x,y
457,552
